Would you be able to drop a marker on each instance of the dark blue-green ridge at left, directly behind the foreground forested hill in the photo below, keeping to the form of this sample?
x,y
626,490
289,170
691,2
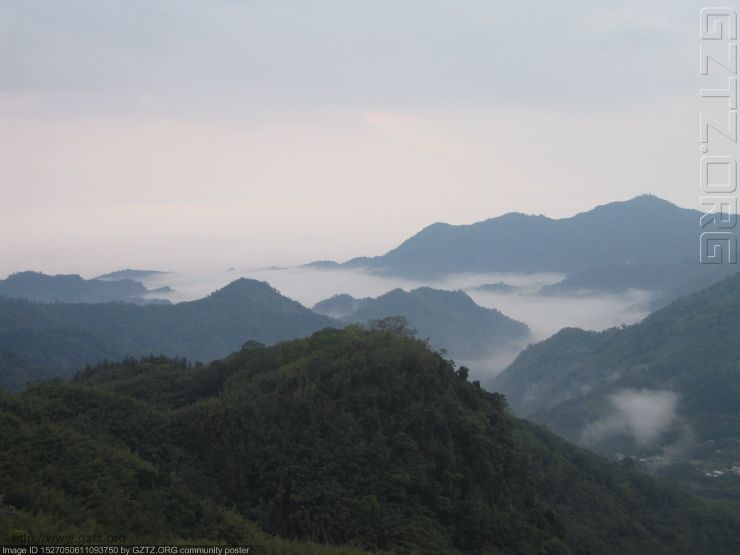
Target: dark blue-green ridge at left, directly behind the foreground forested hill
x,y
45,340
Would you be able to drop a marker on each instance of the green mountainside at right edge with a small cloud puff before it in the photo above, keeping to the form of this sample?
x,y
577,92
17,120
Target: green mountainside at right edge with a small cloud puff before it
x,y
666,390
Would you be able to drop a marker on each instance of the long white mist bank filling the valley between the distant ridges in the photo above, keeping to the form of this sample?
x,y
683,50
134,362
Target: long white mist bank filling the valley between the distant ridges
x,y
544,314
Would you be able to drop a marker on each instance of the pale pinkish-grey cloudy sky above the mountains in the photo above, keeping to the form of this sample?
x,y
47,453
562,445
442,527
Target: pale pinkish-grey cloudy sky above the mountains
x,y
186,134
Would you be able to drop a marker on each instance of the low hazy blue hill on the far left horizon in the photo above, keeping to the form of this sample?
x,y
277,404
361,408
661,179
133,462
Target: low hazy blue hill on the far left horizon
x,y
40,287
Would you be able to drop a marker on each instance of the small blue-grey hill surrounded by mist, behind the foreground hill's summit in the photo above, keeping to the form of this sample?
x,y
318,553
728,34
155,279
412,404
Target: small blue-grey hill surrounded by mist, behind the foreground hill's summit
x,y
450,319
